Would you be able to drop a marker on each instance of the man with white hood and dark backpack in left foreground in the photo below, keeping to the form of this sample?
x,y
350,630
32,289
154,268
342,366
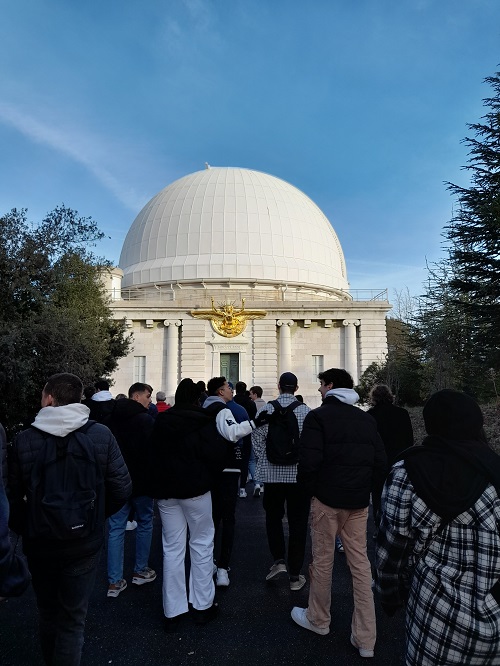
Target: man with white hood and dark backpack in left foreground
x,y
72,474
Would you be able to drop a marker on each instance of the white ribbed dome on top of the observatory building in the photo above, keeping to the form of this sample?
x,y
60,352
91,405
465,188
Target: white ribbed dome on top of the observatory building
x,y
232,224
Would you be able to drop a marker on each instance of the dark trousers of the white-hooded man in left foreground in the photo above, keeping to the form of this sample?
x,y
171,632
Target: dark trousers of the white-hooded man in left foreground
x,y
62,589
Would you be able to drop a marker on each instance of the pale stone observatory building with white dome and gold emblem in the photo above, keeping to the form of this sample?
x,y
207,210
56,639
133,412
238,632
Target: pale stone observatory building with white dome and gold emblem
x,y
234,272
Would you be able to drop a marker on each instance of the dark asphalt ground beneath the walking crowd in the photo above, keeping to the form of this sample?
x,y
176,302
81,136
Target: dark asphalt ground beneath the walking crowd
x,y
253,627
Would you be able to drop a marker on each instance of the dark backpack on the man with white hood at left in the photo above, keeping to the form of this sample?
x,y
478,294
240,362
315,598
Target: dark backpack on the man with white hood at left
x,y
66,496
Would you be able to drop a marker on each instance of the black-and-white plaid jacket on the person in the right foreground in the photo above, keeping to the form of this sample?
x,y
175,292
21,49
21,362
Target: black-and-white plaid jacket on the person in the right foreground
x,y
451,617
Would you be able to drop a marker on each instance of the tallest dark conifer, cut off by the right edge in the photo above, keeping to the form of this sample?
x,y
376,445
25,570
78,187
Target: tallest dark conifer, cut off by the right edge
x,y
473,237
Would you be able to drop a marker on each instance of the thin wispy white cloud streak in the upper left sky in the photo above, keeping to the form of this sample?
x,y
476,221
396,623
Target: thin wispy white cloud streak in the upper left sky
x,y
83,148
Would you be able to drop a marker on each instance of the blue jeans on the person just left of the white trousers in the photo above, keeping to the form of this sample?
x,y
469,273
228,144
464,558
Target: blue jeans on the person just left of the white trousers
x,y
143,507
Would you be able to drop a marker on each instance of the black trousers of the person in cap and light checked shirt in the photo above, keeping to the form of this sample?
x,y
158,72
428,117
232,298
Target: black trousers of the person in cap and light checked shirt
x,y
278,499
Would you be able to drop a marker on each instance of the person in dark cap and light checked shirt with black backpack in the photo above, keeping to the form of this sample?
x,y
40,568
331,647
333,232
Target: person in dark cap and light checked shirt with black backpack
x,y
277,448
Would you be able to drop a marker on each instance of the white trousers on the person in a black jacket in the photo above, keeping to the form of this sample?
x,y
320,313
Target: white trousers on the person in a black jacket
x,y
176,516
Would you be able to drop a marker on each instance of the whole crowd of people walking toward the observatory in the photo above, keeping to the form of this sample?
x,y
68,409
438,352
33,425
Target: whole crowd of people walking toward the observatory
x,y
436,506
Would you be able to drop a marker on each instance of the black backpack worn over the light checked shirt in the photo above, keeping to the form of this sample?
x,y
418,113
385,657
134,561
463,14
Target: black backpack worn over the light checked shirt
x,y
282,443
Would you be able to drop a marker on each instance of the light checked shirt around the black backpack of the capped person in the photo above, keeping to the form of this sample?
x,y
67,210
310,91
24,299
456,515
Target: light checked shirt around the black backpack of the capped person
x,y
267,472
